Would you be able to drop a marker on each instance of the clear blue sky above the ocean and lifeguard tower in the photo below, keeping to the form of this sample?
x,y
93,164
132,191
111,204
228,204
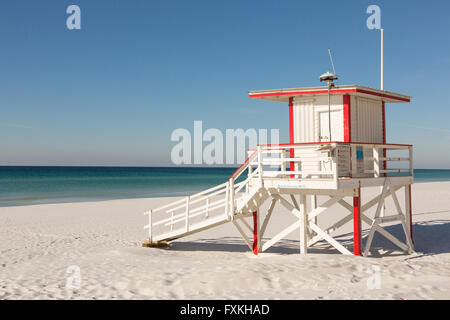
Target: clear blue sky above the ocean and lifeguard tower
x,y
113,92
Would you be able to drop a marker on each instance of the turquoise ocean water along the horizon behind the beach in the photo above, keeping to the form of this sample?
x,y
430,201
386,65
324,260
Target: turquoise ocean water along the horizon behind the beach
x,y
34,185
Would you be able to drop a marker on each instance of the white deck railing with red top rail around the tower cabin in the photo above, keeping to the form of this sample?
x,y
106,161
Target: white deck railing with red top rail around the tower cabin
x,y
330,160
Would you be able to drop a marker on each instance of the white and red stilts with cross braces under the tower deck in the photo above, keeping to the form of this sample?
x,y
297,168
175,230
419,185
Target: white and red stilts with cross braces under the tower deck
x,y
311,233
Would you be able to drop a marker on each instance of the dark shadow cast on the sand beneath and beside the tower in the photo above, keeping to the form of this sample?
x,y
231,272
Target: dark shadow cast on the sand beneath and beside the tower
x,y
430,238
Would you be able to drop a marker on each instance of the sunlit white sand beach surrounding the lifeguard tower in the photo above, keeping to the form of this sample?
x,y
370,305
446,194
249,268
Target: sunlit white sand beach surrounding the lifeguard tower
x,y
38,243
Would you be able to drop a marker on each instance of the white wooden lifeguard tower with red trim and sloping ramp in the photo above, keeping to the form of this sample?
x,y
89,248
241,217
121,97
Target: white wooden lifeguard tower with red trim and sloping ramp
x,y
337,148
